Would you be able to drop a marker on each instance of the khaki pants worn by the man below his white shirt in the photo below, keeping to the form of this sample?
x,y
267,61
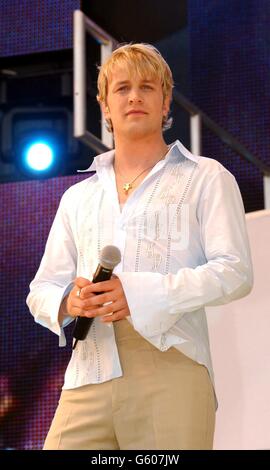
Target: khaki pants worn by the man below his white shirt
x,y
163,401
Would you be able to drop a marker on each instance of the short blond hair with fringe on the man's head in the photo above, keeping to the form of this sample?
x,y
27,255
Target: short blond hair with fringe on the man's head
x,y
142,59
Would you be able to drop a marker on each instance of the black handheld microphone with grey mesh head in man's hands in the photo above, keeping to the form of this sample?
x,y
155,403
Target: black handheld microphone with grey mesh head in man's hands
x,y
110,256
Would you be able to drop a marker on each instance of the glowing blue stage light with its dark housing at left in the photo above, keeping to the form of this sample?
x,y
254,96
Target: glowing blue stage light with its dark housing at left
x,y
38,142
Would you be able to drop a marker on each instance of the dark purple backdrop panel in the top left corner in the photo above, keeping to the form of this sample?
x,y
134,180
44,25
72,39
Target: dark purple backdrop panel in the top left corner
x,y
30,26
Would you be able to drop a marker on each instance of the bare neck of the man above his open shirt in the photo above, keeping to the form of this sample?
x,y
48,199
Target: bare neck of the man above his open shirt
x,y
135,155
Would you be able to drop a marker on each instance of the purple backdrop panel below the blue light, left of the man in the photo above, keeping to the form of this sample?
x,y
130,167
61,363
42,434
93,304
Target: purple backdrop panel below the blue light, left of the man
x,y
32,365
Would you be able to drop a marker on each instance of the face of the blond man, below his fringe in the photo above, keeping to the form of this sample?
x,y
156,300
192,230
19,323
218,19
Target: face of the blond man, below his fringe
x,y
135,106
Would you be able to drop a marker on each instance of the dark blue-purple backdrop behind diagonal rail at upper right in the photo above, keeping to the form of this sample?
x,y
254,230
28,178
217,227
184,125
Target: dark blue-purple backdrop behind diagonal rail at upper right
x,y
229,70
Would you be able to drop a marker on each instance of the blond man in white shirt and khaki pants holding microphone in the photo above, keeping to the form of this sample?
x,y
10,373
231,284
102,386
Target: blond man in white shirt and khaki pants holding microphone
x,y
142,379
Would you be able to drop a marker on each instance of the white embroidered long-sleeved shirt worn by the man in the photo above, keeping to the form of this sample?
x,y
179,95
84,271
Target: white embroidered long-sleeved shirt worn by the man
x,y
184,246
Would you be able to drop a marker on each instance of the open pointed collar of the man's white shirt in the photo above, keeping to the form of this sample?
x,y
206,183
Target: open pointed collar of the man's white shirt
x,y
175,151
